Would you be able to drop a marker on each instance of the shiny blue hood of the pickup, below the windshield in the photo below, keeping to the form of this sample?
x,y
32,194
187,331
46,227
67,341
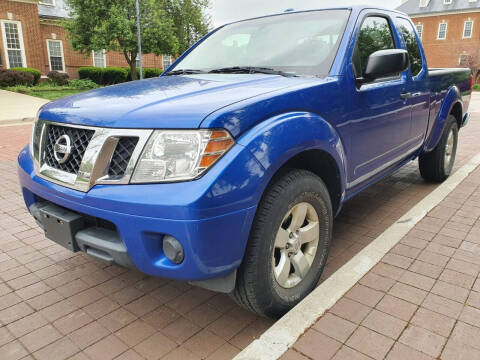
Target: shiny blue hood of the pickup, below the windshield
x,y
163,102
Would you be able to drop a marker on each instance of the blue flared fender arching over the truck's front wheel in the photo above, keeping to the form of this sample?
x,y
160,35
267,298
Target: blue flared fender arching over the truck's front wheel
x,y
276,140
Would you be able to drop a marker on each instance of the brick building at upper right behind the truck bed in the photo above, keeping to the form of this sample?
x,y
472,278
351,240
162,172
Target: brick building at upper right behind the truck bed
x,y
450,31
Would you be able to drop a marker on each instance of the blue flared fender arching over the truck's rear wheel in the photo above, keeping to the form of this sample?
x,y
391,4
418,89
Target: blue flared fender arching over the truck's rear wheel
x,y
452,97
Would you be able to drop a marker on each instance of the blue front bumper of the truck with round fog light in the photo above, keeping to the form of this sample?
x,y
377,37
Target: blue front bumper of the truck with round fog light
x,y
211,216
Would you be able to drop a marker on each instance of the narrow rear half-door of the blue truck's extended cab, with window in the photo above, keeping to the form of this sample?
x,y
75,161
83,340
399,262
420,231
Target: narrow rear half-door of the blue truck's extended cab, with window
x,y
417,86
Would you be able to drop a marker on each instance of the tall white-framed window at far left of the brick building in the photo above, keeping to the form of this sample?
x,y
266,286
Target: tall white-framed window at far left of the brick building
x,y
13,40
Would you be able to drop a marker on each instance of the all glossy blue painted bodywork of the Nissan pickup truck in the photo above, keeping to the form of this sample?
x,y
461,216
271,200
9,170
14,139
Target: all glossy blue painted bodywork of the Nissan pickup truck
x,y
368,132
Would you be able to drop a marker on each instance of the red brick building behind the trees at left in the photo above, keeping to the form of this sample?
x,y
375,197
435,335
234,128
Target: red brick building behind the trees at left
x,y
31,35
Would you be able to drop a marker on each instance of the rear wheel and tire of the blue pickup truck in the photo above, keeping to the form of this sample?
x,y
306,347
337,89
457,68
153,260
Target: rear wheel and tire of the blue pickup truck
x,y
437,165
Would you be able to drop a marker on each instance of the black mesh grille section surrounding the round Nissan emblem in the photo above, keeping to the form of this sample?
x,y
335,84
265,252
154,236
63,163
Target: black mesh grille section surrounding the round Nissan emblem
x,y
80,138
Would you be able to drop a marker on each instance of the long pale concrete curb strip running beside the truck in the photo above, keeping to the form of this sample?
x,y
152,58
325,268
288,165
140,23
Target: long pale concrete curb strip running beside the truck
x,y
273,343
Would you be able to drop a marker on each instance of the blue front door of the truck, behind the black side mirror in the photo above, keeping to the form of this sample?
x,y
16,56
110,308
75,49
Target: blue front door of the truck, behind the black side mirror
x,y
379,120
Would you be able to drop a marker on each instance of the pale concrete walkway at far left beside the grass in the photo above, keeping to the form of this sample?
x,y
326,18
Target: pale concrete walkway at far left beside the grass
x,y
15,107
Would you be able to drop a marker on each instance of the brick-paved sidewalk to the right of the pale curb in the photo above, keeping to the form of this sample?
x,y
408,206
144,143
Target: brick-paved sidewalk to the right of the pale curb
x,y
422,301
